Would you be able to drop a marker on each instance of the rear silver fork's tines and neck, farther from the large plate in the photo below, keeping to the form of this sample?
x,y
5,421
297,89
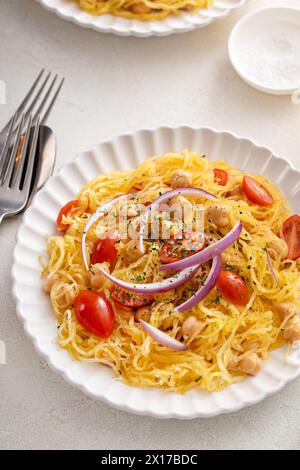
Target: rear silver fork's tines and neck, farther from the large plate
x,y
38,104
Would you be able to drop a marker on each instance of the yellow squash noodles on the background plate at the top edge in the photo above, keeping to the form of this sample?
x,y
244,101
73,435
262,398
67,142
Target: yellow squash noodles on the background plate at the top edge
x,y
142,10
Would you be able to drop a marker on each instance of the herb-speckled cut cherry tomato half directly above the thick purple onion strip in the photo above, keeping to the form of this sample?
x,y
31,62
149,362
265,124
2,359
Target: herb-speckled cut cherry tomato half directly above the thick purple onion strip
x,y
173,250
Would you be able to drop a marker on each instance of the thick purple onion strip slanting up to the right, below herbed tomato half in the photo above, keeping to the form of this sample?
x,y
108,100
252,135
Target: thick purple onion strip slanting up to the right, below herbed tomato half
x,y
206,254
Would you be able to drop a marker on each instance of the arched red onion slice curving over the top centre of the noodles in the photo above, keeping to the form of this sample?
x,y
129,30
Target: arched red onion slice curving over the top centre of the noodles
x,y
168,195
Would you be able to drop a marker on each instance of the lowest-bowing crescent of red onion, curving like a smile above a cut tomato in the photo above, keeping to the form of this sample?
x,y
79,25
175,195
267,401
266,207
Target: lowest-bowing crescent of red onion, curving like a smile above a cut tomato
x,y
154,287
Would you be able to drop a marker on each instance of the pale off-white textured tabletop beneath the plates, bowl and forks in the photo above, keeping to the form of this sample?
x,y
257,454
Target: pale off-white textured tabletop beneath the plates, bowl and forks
x,y
117,85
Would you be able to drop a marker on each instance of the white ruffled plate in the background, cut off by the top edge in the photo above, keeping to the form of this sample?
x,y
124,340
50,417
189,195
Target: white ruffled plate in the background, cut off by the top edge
x,y
69,10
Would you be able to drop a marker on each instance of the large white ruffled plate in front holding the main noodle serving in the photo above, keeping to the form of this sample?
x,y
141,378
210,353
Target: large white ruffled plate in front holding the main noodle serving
x,y
33,306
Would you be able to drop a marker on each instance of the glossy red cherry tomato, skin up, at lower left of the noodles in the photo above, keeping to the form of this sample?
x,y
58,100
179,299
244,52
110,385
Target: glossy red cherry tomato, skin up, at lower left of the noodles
x,y
95,313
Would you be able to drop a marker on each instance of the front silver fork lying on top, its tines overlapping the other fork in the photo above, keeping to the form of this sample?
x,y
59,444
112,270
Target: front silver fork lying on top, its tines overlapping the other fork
x,y
16,173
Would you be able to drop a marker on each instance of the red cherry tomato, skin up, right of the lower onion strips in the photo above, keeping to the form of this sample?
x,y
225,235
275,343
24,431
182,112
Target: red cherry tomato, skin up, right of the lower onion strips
x,y
233,288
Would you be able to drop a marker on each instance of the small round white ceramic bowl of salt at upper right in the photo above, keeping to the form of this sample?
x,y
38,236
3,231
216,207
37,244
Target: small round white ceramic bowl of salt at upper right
x,y
277,26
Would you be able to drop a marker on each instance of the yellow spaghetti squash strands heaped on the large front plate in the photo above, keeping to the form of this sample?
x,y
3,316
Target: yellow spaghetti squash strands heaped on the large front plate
x,y
132,354
